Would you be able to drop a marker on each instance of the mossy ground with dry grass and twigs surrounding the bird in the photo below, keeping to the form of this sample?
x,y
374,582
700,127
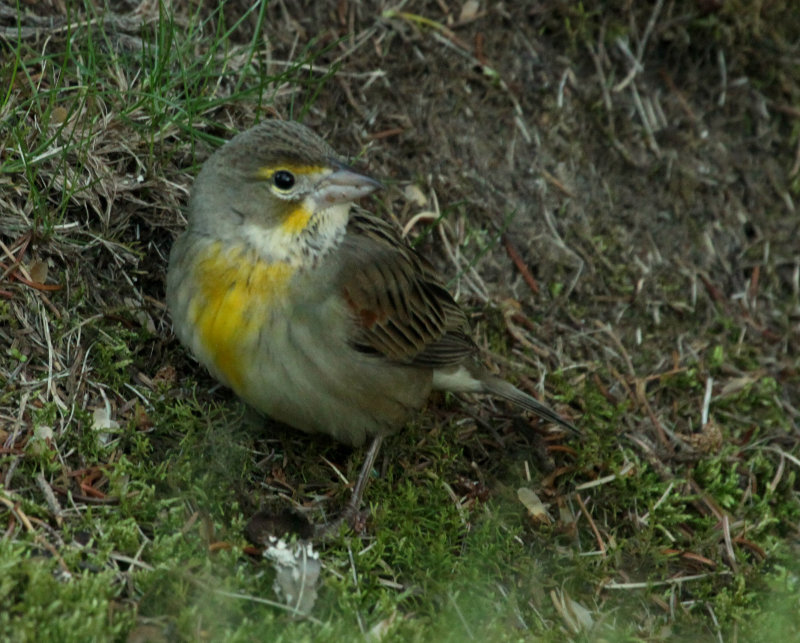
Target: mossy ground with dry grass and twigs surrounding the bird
x,y
611,189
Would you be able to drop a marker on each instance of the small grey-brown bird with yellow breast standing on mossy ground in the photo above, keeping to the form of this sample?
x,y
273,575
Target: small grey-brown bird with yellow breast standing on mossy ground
x,y
315,311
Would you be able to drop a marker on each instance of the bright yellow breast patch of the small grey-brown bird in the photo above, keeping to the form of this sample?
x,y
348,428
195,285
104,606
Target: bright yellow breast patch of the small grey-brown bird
x,y
237,294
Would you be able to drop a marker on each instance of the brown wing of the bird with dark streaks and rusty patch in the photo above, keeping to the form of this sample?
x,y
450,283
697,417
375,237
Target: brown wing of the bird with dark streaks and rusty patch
x,y
400,307
